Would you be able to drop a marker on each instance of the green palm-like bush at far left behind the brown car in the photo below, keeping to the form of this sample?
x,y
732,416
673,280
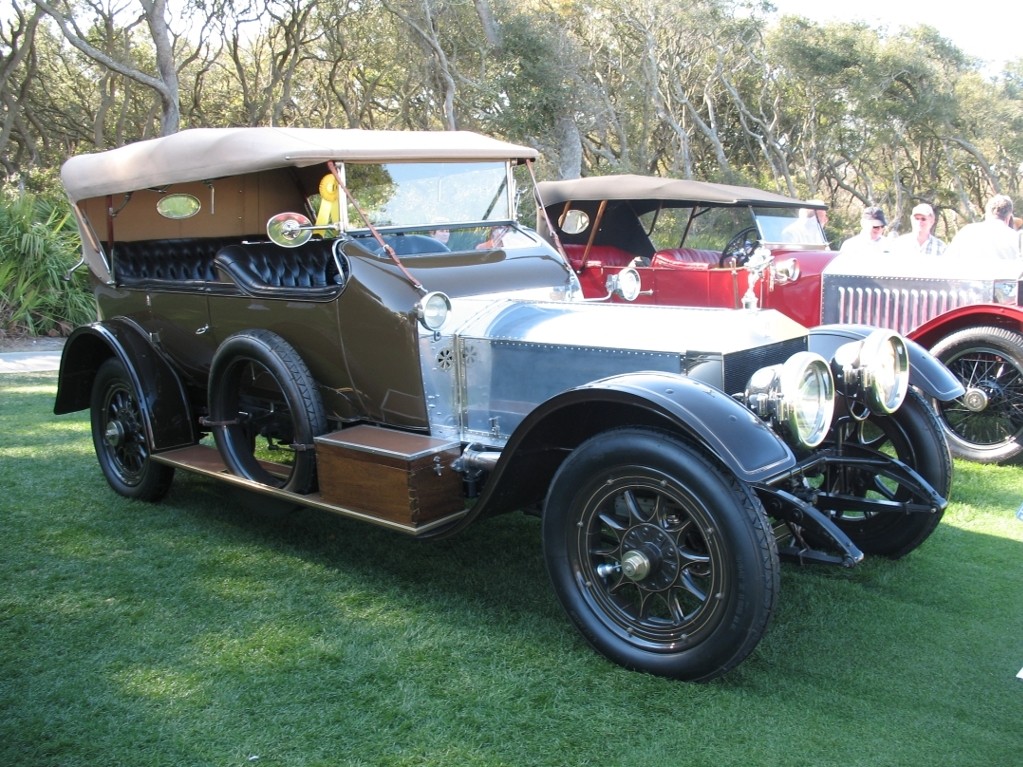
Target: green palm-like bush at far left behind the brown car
x,y
38,246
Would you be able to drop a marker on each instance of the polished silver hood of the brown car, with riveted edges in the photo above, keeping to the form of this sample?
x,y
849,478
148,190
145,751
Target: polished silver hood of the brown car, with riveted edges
x,y
500,359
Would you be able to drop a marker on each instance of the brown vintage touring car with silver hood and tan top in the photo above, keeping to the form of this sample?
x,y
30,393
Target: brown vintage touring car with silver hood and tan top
x,y
355,322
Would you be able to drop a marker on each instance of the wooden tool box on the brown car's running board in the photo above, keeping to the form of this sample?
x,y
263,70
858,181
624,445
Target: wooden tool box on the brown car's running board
x,y
397,476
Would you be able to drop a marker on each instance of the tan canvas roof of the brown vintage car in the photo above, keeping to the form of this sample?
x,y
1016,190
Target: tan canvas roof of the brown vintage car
x,y
213,153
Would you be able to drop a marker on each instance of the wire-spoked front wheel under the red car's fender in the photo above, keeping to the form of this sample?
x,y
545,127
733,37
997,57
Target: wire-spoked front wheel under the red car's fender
x,y
987,424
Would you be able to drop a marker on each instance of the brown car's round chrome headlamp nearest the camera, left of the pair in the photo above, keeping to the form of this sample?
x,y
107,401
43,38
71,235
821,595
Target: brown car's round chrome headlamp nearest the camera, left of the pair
x,y
797,397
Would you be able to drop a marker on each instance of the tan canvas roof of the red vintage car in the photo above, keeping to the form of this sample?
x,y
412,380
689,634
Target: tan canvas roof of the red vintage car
x,y
685,192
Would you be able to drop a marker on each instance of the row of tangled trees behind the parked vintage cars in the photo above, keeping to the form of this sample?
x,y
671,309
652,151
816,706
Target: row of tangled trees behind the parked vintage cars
x,y
707,89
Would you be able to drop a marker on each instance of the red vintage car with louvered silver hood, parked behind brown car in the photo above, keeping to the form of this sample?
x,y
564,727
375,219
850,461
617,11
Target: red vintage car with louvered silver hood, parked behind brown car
x,y
705,245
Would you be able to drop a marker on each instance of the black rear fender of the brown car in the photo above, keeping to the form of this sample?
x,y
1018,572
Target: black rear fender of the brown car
x,y
165,407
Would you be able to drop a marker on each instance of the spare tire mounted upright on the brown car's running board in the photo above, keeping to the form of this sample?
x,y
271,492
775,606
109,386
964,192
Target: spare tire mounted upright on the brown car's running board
x,y
265,411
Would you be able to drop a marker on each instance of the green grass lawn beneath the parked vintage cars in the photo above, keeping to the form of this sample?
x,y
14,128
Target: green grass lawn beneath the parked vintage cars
x,y
201,631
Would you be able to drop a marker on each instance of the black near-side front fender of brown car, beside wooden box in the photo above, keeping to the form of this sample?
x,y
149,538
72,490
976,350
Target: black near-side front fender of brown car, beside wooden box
x,y
725,428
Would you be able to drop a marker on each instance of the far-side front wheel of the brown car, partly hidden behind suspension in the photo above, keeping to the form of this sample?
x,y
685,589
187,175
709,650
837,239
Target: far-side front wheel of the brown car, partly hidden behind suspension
x,y
913,435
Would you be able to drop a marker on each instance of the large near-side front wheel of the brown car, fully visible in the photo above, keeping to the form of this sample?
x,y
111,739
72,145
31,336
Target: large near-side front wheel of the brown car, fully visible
x,y
635,501
